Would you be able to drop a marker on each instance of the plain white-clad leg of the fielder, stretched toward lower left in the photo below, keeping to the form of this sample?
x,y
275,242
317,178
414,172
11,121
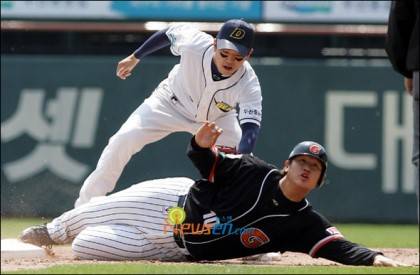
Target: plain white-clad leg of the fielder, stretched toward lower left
x,y
152,121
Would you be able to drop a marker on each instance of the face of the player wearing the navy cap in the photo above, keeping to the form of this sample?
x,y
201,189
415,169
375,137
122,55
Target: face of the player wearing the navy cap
x,y
228,61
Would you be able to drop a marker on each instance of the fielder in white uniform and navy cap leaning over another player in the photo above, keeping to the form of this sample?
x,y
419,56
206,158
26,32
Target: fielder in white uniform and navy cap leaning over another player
x,y
212,78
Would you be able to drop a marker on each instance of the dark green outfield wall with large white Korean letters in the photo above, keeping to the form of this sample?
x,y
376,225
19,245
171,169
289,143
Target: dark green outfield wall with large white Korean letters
x,y
57,114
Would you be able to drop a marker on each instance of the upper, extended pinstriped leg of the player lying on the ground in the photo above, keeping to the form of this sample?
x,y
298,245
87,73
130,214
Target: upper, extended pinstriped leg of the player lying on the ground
x,y
143,205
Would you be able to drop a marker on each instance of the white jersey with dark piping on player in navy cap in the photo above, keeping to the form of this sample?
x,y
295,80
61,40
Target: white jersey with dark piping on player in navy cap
x,y
192,83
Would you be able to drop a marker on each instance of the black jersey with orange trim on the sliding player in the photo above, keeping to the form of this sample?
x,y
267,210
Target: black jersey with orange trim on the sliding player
x,y
238,210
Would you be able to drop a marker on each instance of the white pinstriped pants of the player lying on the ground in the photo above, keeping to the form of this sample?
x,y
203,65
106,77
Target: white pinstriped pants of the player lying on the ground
x,y
128,225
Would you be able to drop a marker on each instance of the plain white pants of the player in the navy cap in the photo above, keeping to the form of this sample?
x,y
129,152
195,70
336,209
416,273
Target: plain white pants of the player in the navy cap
x,y
153,120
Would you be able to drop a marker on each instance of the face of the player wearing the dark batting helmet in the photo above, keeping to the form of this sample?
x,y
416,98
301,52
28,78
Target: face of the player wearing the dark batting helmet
x,y
304,171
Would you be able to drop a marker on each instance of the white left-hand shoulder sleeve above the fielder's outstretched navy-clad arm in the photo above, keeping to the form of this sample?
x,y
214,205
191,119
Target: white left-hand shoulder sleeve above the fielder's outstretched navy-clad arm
x,y
184,35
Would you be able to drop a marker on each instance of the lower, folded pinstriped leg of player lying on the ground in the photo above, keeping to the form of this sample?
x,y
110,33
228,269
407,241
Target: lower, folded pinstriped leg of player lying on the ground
x,y
122,242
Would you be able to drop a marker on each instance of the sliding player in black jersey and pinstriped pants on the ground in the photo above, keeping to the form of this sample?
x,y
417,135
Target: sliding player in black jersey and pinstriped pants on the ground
x,y
243,206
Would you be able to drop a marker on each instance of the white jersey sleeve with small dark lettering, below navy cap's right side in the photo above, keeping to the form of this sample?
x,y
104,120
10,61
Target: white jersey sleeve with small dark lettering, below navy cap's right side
x,y
250,102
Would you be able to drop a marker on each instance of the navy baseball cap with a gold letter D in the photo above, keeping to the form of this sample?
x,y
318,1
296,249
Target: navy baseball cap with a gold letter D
x,y
237,35
